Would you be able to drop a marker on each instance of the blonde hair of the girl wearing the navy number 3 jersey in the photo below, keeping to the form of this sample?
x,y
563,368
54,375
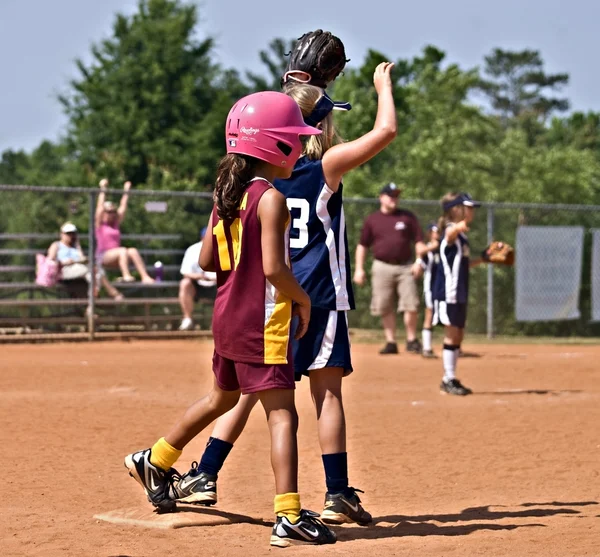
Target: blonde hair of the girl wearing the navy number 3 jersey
x,y
307,96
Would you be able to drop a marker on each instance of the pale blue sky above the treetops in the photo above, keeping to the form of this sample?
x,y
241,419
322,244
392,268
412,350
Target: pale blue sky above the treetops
x,y
39,41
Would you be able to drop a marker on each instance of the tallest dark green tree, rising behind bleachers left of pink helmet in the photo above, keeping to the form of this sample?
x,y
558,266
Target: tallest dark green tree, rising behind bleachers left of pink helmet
x,y
151,105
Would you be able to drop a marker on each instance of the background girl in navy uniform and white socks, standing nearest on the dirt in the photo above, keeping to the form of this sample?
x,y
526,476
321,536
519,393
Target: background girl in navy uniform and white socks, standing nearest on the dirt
x,y
451,286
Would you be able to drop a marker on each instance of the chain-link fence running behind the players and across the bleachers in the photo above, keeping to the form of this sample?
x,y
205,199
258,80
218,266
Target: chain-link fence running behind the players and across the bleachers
x,y
163,224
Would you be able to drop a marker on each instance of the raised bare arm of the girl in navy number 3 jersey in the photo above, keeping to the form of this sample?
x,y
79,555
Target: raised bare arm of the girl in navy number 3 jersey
x,y
344,157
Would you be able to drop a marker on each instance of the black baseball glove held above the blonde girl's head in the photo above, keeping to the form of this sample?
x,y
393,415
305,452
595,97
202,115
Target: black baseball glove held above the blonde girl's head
x,y
320,55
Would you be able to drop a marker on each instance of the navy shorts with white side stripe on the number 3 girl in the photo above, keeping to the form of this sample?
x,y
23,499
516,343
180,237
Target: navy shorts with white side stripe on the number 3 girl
x,y
325,344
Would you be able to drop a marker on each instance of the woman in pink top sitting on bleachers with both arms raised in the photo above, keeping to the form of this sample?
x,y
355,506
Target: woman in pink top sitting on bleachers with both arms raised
x,y
109,252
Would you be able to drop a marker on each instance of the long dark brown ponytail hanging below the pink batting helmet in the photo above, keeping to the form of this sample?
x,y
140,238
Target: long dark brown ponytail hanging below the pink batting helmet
x,y
233,174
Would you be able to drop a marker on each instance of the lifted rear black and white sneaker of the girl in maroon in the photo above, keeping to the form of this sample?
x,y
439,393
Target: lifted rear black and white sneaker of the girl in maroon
x,y
158,484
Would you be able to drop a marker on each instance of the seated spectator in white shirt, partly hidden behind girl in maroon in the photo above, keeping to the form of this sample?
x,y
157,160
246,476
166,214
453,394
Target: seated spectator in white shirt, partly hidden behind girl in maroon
x,y
193,282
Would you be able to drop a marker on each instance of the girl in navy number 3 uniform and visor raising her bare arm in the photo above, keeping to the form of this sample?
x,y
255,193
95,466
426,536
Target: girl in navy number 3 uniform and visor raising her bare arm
x,y
321,263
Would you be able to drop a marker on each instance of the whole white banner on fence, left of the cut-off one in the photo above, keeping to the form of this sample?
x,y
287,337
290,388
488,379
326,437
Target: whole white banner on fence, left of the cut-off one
x,y
548,272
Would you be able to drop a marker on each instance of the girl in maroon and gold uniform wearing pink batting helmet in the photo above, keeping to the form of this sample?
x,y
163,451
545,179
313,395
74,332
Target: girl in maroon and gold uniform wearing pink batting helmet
x,y
253,309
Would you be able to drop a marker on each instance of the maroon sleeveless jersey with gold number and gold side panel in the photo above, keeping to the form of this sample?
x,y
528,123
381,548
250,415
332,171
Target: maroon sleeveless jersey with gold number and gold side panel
x,y
251,319
